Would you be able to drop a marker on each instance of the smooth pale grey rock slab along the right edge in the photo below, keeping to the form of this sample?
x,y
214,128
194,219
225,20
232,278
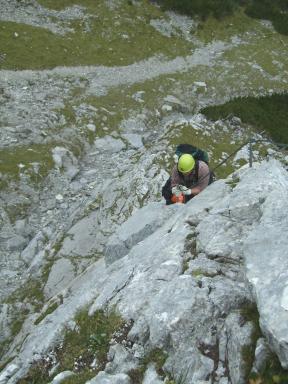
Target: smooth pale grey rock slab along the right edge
x,y
265,252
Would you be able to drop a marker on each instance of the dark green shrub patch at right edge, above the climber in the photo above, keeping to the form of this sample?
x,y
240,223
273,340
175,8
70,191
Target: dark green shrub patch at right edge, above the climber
x,y
269,113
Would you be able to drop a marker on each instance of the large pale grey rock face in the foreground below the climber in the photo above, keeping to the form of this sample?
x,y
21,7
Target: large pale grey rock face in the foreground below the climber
x,y
183,284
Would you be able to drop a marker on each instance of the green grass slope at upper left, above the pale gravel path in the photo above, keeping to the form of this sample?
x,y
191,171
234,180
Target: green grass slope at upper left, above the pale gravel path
x,y
106,38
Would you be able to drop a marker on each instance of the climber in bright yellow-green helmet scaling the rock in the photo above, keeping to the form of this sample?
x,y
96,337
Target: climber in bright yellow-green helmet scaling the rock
x,y
189,177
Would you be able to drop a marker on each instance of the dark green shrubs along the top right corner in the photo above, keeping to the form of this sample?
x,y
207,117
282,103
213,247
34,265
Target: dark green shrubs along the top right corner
x,y
275,11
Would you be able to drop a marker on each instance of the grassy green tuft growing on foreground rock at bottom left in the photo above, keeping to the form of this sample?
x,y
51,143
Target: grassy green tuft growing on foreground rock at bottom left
x,y
88,340
